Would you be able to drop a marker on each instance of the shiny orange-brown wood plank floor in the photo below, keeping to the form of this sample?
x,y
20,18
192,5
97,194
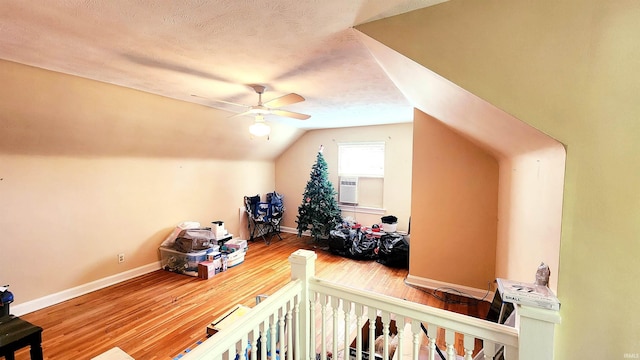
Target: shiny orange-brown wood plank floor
x,y
160,314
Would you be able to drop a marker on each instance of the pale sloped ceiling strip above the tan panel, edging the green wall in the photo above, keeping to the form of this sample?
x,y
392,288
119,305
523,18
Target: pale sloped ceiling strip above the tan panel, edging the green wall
x,y
482,123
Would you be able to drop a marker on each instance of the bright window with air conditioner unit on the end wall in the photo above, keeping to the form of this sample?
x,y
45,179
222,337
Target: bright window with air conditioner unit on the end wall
x,y
361,172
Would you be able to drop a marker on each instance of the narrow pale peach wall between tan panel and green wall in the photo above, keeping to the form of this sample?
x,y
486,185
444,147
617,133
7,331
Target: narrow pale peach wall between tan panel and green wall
x,y
530,213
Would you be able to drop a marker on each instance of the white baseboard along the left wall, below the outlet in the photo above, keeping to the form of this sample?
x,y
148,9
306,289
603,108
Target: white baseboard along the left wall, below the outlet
x,y
64,295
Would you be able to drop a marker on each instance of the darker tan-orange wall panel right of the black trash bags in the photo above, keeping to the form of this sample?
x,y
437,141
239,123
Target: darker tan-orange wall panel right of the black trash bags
x,y
454,207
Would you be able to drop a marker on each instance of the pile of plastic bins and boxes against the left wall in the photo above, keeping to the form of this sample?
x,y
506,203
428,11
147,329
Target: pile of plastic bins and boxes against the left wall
x,y
222,253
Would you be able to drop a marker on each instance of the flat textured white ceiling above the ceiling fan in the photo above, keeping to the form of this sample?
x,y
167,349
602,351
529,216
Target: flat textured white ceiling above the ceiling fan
x,y
213,49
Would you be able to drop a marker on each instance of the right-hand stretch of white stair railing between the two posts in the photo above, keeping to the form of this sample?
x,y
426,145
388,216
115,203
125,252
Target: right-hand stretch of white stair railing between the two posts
x,y
407,318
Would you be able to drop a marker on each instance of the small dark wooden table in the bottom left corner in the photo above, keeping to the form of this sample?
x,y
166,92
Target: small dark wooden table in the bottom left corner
x,y
16,333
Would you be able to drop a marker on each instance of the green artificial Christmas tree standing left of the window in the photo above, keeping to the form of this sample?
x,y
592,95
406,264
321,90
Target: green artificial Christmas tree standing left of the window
x,y
319,211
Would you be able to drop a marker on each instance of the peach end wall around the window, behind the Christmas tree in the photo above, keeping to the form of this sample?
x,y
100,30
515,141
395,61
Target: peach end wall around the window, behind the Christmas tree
x,y
294,165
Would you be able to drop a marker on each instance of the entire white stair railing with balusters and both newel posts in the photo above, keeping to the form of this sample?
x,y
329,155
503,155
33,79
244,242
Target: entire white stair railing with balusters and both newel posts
x,y
319,319
